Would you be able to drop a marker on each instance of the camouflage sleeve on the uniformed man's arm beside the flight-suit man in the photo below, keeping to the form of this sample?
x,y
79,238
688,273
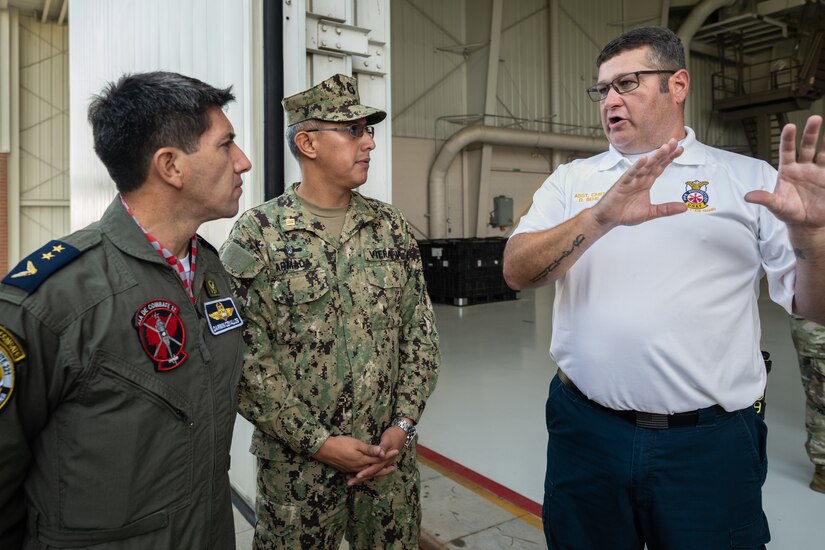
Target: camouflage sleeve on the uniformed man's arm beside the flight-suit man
x,y
265,396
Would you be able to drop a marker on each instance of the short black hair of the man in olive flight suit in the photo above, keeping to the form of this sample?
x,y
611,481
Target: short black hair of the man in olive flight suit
x,y
140,113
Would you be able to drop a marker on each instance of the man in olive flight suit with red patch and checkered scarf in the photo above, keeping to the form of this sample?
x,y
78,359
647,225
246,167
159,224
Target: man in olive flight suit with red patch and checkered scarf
x,y
120,344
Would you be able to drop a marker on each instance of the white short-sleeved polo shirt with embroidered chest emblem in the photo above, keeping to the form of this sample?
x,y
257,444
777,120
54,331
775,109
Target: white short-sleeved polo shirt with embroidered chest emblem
x,y
662,317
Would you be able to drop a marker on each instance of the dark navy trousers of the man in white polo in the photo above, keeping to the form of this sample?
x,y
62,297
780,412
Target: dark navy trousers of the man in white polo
x,y
613,486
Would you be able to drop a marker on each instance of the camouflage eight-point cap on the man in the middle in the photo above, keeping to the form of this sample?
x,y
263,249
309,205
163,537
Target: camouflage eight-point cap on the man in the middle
x,y
335,100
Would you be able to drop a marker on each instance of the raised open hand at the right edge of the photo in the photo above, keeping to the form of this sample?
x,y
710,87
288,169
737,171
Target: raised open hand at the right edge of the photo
x,y
799,196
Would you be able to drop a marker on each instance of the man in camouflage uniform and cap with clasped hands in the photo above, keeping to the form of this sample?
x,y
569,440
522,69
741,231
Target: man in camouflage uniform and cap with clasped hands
x,y
342,346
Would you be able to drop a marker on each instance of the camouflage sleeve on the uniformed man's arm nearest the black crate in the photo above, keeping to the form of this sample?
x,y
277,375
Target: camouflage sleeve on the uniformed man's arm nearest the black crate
x,y
419,358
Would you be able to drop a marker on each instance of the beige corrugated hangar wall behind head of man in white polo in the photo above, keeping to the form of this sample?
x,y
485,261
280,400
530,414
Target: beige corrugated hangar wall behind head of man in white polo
x,y
424,88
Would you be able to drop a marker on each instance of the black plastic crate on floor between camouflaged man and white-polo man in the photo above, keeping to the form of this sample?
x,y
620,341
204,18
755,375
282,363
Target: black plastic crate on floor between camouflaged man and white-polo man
x,y
465,271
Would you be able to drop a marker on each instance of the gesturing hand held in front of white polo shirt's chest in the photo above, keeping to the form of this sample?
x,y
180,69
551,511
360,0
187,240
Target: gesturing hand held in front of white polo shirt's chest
x,y
627,202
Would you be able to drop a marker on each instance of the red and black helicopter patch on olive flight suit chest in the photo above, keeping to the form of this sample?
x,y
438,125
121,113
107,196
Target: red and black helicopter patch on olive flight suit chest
x,y
161,333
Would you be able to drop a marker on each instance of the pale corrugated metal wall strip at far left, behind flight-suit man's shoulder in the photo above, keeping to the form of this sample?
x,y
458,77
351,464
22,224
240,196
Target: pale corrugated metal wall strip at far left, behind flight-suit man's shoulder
x,y
44,133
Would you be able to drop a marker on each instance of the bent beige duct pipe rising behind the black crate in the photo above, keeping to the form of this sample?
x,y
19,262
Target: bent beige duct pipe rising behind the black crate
x,y
495,136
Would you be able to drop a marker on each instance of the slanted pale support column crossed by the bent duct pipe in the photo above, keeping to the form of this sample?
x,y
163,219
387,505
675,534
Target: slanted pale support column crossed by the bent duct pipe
x,y
489,108
